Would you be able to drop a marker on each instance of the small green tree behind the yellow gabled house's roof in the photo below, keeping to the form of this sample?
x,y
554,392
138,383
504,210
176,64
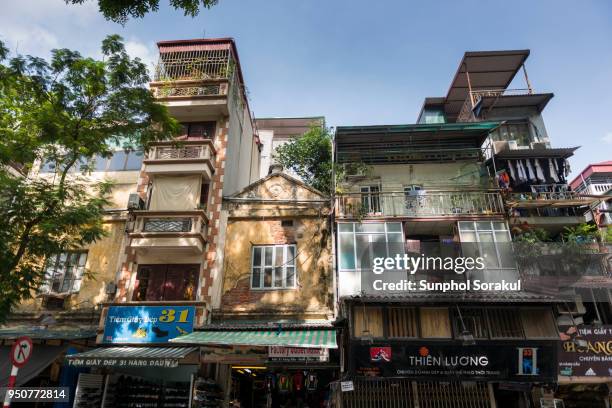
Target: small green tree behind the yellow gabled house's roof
x,y
310,157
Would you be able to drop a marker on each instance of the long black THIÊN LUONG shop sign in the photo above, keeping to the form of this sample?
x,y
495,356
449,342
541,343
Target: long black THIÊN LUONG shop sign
x,y
522,361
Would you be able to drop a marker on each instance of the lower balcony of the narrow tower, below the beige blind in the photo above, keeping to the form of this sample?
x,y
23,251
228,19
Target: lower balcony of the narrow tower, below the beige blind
x,y
168,230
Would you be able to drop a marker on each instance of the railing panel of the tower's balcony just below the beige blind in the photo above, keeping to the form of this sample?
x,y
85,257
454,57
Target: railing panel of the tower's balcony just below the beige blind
x,y
169,224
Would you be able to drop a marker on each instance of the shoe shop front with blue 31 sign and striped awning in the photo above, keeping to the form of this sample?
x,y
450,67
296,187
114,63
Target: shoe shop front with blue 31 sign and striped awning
x,y
135,365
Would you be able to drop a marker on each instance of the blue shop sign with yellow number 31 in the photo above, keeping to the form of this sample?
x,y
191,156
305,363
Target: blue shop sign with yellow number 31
x,y
147,324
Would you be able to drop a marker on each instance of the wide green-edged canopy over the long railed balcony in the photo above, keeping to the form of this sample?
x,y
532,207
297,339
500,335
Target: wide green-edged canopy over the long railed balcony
x,y
412,143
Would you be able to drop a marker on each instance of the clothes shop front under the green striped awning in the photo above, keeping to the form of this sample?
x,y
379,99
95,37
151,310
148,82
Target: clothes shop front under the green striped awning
x,y
271,368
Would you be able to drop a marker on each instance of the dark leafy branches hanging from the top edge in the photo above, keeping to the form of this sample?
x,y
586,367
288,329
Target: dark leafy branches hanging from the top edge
x,y
120,11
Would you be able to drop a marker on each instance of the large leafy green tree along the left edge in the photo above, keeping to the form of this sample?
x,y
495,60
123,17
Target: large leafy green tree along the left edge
x,y
64,112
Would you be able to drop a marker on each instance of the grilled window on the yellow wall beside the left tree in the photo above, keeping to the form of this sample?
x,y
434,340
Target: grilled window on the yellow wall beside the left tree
x,y
64,272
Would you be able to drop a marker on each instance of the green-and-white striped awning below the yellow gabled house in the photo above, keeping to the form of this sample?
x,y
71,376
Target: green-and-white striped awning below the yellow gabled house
x,y
288,338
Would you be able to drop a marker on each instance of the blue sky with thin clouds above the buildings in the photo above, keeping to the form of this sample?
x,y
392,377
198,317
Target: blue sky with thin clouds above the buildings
x,y
369,62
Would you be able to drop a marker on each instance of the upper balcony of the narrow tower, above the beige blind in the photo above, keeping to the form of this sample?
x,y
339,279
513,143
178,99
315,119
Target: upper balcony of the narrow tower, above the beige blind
x,y
184,157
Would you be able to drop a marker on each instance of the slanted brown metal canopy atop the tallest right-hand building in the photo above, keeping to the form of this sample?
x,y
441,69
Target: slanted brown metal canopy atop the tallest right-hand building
x,y
482,70
